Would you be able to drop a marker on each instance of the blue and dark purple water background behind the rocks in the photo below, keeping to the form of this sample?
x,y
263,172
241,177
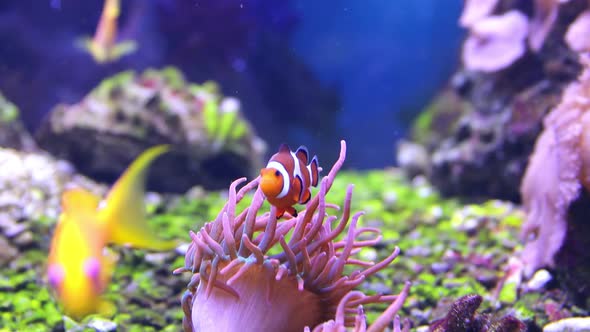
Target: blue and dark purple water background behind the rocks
x,y
385,58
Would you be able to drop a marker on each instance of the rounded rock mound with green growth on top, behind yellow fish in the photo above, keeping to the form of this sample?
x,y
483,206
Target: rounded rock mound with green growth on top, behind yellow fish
x,y
128,113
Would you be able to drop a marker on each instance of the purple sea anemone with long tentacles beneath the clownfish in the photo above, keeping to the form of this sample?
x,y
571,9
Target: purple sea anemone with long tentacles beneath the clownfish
x,y
255,273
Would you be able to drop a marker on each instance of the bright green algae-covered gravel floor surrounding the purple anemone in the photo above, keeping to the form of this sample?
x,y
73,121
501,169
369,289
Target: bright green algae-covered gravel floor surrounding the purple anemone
x,y
445,247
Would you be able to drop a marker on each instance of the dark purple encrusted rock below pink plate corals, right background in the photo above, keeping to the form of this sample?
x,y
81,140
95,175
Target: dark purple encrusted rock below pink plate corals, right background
x,y
486,144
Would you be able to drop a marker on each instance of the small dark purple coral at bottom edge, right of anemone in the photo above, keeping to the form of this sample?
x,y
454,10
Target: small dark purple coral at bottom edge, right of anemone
x,y
462,316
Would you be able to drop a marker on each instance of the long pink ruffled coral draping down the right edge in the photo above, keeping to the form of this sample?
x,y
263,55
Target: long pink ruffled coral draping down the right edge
x,y
554,176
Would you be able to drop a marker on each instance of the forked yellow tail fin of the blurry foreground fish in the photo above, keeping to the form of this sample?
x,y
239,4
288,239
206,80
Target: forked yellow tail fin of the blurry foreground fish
x,y
124,209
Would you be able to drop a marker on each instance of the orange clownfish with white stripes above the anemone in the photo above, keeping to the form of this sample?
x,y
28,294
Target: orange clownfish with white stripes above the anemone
x,y
287,179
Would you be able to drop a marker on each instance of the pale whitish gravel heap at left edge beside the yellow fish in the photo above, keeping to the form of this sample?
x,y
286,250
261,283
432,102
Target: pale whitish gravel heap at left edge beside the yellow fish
x,y
32,184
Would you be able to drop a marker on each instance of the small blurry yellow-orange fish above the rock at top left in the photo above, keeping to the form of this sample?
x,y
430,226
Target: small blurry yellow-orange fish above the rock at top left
x,y
103,46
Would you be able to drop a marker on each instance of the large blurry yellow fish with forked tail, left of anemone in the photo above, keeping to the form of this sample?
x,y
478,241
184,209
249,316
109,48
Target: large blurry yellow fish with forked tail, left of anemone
x,y
78,271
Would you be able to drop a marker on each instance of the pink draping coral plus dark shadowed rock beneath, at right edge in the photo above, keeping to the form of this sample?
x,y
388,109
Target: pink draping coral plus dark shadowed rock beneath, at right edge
x,y
555,190
